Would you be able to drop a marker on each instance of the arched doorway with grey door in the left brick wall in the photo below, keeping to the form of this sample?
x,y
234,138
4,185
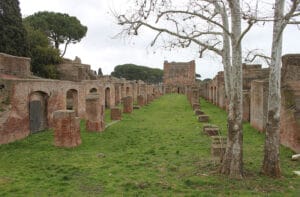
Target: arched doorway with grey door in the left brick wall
x,y
38,103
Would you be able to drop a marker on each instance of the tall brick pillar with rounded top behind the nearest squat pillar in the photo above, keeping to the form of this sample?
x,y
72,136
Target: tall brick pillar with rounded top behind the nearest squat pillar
x,y
94,113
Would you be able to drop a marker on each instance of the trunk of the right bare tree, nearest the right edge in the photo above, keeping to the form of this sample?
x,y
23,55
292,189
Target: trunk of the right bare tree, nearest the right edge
x,y
271,163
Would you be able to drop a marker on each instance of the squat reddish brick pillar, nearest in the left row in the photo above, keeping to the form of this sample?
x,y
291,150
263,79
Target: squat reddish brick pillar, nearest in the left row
x,y
66,129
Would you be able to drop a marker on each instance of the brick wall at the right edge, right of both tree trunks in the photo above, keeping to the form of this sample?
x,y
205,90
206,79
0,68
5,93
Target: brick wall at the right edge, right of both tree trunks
x,y
290,105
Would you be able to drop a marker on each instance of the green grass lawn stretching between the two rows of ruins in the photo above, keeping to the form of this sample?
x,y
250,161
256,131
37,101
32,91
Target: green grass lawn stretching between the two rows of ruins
x,y
159,150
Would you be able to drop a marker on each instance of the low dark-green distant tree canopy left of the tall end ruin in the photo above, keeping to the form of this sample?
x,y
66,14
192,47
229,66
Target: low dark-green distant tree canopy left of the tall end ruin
x,y
135,72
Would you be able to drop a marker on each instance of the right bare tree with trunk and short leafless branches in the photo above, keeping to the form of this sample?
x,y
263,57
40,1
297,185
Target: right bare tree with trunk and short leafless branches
x,y
280,18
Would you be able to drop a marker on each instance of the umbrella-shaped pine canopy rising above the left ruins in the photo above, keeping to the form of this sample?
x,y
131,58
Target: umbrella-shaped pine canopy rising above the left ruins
x,y
59,28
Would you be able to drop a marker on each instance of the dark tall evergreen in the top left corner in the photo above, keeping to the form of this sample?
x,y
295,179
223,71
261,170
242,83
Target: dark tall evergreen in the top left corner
x,y
12,32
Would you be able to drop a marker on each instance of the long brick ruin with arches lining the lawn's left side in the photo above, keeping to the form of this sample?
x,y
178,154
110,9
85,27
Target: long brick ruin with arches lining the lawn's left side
x,y
28,103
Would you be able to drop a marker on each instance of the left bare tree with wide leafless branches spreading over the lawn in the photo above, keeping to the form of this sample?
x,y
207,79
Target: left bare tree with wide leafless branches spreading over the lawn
x,y
202,23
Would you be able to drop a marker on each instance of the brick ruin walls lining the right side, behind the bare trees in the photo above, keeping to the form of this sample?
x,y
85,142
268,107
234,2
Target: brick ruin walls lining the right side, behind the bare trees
x,y
255,97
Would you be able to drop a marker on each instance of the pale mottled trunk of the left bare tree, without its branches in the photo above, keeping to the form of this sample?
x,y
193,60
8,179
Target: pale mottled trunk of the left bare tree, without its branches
x,y
232,164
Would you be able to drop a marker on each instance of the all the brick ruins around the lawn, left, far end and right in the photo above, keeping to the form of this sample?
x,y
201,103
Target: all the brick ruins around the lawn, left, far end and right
x,y
29,104
